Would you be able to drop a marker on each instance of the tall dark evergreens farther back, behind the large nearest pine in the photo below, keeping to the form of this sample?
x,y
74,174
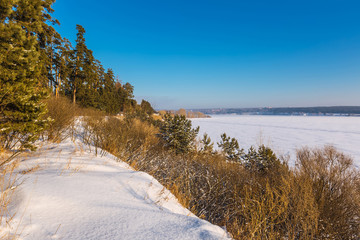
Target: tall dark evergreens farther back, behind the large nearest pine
x,y
76,73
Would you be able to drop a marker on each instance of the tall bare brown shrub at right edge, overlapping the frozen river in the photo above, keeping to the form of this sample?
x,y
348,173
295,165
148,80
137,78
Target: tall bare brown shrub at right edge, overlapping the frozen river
x,y
334,181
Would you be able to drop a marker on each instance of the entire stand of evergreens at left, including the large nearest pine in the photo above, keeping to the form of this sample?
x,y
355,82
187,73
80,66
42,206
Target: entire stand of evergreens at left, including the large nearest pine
x,y
35,61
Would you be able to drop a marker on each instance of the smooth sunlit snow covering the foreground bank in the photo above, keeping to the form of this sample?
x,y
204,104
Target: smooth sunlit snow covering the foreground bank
x,y
70,193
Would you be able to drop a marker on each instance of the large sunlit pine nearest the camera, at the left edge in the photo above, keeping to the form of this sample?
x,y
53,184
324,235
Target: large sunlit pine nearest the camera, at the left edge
x,y
20,89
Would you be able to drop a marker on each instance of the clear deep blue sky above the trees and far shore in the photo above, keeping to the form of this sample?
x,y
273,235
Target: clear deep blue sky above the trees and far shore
x,y
222,53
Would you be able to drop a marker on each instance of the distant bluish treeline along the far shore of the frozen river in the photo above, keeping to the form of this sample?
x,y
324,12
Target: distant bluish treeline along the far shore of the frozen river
x,y
337,110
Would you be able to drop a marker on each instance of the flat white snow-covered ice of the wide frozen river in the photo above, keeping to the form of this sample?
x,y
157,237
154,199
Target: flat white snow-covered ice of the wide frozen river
x,y
285,134
